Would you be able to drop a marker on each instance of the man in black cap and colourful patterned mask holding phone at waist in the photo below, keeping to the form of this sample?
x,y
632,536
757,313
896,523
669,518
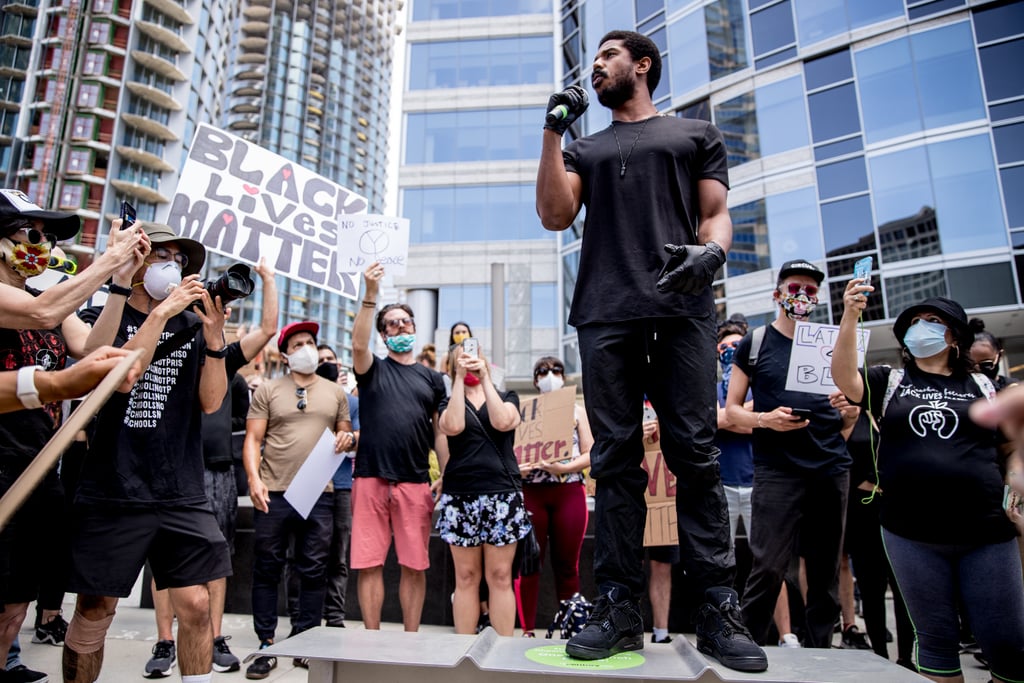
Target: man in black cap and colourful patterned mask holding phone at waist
x,y
801,465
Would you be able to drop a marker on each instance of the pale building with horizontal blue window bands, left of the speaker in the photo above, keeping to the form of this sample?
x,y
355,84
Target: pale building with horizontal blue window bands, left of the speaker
x,y
478,79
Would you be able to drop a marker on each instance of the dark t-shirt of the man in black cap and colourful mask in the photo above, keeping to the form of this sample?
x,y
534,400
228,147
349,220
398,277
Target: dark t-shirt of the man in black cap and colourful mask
x,y
820,447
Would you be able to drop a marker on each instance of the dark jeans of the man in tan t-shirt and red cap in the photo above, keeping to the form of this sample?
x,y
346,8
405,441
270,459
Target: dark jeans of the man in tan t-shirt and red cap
x,y
272,534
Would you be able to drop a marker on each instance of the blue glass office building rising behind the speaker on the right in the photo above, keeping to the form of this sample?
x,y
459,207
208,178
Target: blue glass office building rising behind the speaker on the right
x,y
889,129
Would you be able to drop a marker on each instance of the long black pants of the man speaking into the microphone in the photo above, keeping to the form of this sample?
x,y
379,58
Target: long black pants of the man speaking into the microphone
x,y
672,361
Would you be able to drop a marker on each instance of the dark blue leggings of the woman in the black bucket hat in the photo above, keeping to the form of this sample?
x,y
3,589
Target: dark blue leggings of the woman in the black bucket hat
x,y
988,579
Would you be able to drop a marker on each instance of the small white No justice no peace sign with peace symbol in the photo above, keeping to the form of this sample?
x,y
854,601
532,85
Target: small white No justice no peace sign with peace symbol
x,y
369,238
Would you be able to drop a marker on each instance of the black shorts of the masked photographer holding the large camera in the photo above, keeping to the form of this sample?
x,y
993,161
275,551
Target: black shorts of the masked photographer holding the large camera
x,y
110,546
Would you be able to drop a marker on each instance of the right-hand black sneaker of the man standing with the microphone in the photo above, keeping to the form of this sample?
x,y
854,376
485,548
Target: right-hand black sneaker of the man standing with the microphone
x,y
721,633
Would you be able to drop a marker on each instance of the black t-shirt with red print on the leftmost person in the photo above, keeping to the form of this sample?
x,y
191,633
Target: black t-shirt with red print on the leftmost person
x,y
24,434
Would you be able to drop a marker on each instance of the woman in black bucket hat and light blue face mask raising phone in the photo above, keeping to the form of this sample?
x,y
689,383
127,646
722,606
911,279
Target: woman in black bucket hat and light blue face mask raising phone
x,y
946,532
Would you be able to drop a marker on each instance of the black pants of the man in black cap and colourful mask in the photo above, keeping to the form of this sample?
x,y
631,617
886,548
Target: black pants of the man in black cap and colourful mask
x,y
788,506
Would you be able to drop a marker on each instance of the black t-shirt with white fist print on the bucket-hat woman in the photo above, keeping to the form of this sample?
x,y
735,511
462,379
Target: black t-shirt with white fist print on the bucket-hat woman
x,y
938,471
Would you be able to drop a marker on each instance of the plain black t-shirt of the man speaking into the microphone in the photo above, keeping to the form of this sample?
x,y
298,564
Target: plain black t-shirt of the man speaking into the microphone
x,y
630,219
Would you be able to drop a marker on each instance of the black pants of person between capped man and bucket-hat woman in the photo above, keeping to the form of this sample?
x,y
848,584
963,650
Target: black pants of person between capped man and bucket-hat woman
x,y
864,543
